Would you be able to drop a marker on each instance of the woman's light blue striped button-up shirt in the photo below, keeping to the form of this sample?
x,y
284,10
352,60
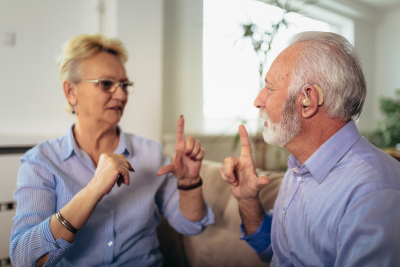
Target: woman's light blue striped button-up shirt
x,y
122,228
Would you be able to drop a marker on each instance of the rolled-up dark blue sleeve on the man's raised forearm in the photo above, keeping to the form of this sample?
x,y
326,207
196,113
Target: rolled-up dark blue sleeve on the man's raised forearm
x,y
260,240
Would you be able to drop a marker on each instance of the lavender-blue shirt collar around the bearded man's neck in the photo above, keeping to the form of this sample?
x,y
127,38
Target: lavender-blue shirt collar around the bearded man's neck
x,y
325,158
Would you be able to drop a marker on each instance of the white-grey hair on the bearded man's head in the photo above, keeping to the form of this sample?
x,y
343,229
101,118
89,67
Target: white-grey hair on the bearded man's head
x,y
331,62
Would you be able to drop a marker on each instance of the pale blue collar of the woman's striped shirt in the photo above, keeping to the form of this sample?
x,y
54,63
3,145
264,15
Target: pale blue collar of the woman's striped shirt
x,y
70,146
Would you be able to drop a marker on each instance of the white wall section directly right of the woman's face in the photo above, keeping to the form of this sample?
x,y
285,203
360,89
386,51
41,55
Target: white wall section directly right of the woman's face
x,y
140,27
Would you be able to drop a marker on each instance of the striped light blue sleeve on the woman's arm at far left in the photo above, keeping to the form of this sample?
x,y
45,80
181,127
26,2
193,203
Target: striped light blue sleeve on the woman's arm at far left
x,y
31,237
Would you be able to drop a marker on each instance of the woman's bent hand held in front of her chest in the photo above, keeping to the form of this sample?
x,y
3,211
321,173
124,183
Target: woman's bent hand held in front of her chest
x,y
112,168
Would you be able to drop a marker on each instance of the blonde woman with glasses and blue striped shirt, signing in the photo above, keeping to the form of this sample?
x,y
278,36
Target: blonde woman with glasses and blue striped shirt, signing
x,y
72,209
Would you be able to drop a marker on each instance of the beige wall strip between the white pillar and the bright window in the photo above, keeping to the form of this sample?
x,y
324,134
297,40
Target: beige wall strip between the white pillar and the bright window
x,y
183,64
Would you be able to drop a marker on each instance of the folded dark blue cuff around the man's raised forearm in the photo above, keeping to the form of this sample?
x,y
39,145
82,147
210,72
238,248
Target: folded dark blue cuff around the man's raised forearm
x,y
260,240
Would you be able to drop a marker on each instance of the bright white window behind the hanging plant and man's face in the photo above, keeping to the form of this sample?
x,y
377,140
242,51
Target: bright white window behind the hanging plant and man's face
x,y
230,66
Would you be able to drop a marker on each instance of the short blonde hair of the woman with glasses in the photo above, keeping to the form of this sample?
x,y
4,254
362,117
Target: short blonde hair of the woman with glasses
x,y
84,46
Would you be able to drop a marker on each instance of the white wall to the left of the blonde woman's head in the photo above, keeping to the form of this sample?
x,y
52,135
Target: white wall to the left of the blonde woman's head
x,y
31,96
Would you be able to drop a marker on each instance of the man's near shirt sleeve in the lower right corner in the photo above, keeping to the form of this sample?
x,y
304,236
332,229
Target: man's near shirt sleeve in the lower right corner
x,y
368,233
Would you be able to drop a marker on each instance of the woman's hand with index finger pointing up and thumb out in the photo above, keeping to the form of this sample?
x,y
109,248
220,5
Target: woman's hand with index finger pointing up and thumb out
x,y
187,159
